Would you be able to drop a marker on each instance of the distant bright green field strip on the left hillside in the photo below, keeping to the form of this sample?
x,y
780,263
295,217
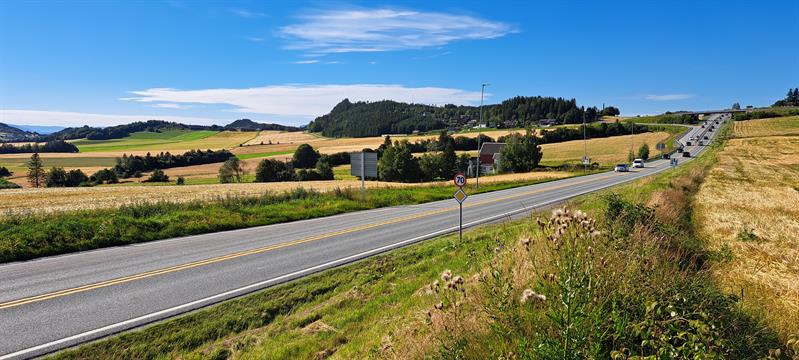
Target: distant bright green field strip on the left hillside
x,y
143,140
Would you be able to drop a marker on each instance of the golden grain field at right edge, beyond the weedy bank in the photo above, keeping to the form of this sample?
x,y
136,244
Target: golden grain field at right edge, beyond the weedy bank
x,y
748,206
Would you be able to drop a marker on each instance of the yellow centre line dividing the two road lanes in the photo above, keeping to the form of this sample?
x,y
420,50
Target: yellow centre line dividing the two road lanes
x,y
171,269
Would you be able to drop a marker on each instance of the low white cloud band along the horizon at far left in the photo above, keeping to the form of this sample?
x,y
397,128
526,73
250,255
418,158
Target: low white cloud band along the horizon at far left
x,y
65,118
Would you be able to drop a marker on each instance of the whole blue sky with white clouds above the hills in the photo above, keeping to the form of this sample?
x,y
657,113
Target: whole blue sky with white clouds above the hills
x,y
106,62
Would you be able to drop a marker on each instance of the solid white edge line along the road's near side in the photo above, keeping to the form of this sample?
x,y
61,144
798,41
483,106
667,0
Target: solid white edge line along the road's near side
x,y
163,314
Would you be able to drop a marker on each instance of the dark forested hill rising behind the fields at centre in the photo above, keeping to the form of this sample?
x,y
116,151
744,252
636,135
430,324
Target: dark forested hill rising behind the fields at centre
x,y
360,119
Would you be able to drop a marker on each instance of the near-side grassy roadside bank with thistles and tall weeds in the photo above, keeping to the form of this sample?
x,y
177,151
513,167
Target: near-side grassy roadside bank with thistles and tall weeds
x,y
649,296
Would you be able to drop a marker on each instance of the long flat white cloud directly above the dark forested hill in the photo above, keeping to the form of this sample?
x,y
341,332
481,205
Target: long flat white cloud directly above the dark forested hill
x,y
305,100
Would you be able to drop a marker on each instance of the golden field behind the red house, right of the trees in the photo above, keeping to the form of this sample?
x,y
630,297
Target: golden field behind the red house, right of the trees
x,y
605,151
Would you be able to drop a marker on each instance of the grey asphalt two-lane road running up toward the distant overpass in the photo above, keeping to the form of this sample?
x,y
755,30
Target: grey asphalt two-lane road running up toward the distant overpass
x,y
57,302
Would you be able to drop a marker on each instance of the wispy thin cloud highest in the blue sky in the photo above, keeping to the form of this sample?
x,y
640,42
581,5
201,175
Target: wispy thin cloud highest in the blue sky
x,y
340,31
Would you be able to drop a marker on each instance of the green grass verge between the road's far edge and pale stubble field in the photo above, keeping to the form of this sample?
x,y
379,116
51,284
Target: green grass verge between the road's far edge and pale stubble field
x,y
35,235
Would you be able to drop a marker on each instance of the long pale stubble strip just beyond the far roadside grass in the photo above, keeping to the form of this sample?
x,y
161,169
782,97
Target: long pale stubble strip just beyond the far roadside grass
x,y
47,200
